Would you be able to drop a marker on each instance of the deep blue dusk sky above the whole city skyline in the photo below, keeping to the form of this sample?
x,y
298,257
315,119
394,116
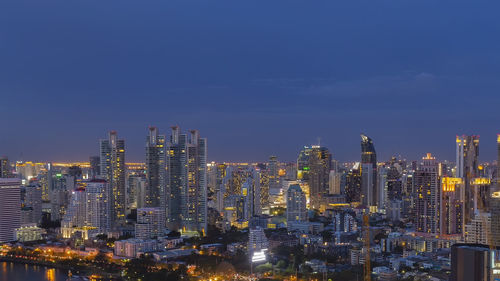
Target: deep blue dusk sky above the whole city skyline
x,y
257,78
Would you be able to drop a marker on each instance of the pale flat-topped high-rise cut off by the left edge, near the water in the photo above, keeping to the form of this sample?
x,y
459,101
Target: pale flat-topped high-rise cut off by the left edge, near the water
x,y
10,208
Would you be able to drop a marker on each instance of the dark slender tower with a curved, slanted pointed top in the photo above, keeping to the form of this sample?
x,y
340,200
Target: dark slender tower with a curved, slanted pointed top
x,y
368,172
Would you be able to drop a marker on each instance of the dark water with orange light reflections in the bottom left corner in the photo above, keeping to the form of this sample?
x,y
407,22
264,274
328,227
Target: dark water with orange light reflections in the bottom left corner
x,y
10,271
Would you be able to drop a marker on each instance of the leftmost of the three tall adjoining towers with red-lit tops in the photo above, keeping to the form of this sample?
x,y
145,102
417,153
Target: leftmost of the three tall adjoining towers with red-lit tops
x,y
155,170
